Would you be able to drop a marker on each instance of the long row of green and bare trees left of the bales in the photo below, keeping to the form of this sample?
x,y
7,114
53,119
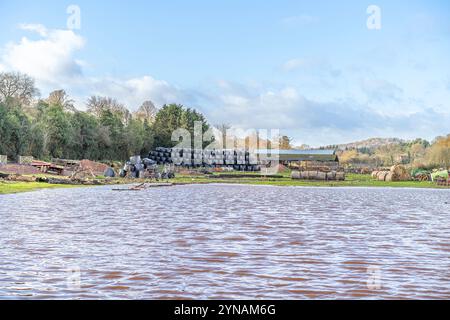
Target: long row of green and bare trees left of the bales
x,y
107,130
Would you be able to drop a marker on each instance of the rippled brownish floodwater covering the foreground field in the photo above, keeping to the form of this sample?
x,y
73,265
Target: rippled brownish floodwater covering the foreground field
x,y
226,241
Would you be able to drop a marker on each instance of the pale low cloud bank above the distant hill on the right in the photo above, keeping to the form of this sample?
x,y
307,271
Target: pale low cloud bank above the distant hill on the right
x,y
320,122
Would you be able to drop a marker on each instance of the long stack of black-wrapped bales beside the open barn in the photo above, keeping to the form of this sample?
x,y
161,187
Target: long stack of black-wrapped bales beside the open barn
x,y
240,160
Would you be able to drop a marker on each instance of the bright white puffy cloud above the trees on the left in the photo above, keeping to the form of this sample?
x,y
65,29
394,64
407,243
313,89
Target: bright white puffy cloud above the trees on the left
x,y
52,61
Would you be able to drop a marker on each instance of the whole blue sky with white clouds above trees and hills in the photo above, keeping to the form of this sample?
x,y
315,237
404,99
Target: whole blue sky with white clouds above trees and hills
x,y
316,70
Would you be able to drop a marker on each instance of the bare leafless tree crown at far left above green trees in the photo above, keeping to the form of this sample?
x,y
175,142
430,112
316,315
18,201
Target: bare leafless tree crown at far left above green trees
x,y
18,86
